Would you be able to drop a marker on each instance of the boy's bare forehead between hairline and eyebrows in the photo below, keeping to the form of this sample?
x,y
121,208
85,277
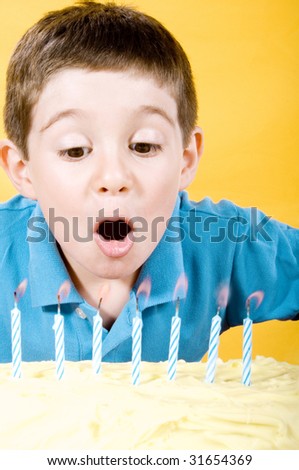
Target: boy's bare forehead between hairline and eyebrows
x,y
104,91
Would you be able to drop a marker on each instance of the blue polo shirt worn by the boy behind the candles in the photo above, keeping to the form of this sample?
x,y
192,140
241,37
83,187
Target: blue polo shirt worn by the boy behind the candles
x,y
214,244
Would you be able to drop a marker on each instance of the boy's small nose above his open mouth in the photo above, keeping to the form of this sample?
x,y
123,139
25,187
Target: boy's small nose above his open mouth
x,y
114,175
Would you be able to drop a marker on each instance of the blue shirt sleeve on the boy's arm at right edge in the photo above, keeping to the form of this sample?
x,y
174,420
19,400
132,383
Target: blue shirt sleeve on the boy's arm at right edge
x,y
266,259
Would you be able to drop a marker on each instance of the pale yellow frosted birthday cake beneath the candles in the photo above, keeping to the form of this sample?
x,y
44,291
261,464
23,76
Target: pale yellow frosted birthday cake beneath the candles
x,y
84,411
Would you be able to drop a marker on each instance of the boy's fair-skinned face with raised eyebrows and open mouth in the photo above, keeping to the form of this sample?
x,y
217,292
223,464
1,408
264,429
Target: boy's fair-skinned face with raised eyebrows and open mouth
x,y
106,145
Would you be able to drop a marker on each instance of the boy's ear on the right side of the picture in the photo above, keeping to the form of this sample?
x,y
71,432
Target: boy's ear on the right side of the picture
x,y
191,157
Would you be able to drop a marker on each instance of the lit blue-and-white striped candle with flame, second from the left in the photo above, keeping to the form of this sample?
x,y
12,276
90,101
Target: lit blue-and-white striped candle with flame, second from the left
x,y
58,328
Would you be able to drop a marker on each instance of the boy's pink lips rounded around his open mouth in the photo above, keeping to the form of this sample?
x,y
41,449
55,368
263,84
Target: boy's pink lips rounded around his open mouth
x,y
113,248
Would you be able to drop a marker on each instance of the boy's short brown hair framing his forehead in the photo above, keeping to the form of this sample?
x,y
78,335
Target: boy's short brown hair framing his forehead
x,y
94,36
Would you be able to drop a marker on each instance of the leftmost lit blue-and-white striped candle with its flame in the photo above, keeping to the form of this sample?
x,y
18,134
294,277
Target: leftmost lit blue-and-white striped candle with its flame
x,y
16,345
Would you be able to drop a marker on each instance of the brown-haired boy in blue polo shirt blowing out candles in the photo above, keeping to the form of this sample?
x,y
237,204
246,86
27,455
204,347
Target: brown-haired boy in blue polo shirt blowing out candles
x,y
100,117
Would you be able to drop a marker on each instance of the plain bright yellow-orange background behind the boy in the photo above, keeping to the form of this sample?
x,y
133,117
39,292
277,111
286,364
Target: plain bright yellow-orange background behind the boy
x,y
244,55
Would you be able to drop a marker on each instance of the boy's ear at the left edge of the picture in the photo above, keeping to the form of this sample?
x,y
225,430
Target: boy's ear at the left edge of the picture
x,y
12,160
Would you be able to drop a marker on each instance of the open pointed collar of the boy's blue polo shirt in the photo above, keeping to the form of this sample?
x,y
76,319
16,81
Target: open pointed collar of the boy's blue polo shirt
x,y
47,271
